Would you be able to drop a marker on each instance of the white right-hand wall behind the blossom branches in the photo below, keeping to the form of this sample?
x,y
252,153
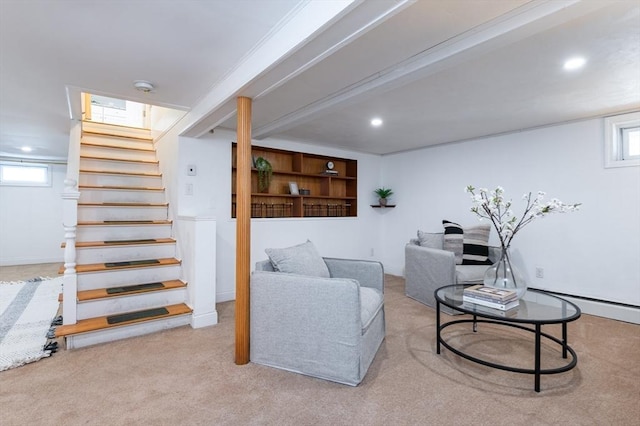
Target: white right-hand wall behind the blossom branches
x,y
594,252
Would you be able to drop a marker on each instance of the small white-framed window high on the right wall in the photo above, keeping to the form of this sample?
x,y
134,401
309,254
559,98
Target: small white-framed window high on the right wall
x,y
622,140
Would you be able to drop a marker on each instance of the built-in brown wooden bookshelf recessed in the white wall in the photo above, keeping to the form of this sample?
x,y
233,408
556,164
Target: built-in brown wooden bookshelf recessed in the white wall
x,y
326,186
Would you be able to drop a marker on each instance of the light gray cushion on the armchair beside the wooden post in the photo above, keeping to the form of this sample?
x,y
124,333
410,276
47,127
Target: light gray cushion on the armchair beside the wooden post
x,y
302,259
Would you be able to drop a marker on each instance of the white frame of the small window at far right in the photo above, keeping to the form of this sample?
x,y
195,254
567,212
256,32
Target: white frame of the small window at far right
x,y
614,128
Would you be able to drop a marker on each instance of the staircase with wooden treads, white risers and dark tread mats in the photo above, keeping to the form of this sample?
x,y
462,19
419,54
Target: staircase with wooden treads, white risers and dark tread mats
x,y
128,277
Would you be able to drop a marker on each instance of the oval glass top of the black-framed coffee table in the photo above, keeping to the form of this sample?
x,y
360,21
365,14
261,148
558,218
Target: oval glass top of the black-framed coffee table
x,y
534,307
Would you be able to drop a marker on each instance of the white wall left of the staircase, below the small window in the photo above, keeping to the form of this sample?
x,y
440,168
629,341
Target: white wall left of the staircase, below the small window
x,y
31,222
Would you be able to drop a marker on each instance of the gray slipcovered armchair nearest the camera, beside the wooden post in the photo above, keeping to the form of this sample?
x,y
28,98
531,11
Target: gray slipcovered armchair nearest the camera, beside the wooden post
x,y
330,328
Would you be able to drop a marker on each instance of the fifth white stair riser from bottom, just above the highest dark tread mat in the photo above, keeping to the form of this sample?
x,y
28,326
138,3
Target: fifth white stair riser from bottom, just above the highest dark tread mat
x,y
122,232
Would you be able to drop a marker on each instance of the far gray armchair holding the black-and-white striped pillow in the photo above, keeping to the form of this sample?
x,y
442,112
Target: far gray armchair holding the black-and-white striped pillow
x,y
429,267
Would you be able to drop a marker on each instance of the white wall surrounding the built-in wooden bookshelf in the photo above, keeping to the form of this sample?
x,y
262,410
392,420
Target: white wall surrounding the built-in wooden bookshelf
x,y
337,237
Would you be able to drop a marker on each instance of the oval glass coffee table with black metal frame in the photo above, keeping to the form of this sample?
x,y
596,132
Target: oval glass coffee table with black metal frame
x,y
536,309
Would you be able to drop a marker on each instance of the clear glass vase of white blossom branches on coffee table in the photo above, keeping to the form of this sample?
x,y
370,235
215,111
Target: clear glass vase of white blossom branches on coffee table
x,y
492,205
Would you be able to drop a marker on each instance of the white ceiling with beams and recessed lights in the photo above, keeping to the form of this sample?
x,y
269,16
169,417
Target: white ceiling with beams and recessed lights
x,y
435,71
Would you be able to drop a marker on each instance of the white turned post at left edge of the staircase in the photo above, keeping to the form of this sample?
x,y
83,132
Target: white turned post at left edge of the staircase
x,y
70,198
